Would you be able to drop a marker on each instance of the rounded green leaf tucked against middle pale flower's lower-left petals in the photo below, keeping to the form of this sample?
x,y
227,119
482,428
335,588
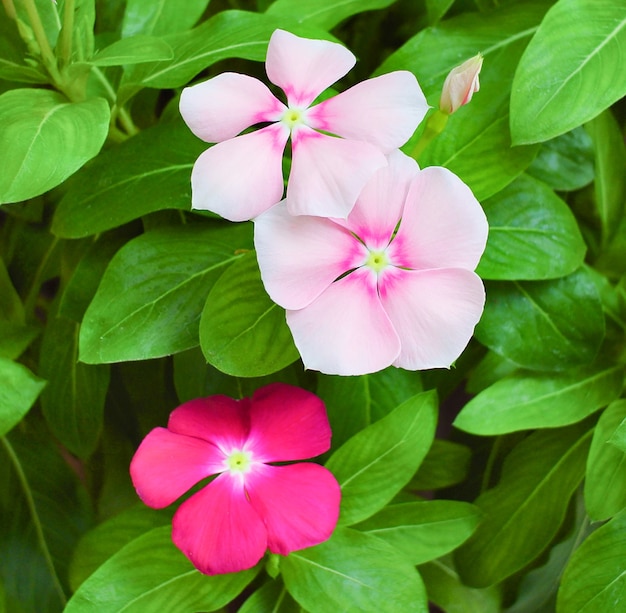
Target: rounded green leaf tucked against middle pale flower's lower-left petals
x,y
242,332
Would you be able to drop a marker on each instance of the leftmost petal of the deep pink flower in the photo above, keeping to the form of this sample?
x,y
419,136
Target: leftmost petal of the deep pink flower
x,y
166,465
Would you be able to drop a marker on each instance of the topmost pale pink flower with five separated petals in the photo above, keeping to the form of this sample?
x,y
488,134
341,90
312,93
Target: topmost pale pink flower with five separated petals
x,y
242,176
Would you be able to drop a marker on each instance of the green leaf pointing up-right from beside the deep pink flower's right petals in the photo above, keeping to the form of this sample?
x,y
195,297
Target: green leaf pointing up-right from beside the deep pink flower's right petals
x,y
376,463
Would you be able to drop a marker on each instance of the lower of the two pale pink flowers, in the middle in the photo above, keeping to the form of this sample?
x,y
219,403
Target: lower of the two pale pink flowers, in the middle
x,y
393,284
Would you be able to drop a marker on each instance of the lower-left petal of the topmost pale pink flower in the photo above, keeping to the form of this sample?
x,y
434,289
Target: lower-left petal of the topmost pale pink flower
x,y
241,177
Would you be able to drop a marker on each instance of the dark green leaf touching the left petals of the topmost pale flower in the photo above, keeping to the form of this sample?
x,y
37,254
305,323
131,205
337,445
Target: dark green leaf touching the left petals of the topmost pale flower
x,y
149,172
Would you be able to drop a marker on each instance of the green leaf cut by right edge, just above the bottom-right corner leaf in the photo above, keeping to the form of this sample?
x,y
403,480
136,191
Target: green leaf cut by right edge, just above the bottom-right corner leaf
x,y
605,482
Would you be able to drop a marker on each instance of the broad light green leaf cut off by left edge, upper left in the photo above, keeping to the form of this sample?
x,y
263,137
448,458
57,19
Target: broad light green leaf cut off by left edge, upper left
x,y
49,139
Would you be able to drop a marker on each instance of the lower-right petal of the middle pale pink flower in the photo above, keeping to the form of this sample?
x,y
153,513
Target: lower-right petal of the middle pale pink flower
x,y
434,313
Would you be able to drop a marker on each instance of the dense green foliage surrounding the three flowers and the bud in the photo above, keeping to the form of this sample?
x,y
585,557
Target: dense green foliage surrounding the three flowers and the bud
x,y
496,486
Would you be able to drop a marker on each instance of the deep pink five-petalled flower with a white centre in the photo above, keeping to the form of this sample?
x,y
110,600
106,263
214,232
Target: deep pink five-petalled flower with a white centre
x,y
251,505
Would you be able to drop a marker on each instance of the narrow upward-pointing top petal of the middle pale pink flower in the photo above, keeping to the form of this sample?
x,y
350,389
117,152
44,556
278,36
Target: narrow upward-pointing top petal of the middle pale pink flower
x,y
379,208
